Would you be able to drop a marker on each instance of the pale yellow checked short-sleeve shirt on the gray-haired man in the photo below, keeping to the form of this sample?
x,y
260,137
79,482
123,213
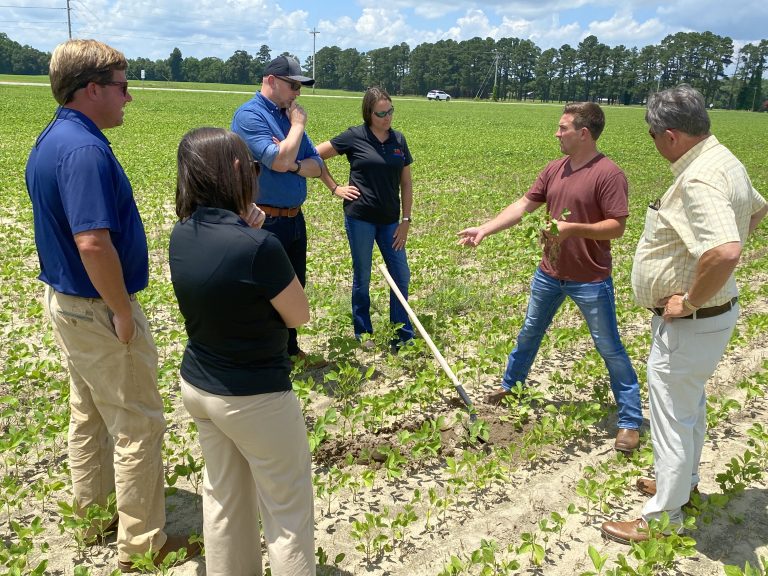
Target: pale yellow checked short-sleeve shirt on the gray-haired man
x,y
709,204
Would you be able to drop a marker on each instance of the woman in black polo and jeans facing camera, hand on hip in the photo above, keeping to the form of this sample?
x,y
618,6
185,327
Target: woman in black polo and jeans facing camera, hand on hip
x,y
379,184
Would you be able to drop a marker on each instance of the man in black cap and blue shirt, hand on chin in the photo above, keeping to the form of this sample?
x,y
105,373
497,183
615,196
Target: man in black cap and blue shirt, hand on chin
x,y
273,126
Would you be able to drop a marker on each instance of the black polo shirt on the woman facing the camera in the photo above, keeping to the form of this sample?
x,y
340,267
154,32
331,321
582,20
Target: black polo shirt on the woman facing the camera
x,y
375,168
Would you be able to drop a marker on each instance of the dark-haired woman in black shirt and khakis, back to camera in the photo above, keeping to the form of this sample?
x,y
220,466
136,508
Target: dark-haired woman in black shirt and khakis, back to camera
x,y
238,294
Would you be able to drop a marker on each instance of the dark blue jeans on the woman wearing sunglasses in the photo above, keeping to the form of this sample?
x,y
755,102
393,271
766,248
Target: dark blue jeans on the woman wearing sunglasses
x,y
361,236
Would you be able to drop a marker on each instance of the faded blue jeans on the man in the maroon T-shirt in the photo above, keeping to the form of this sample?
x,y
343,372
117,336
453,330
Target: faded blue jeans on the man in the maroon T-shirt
x,y
597,305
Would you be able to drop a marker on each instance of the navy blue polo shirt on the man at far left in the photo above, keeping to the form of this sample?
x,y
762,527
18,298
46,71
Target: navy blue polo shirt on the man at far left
x,y
76,184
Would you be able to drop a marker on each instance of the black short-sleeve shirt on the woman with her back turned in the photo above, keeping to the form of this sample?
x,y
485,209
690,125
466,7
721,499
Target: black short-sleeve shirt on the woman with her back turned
x,y
224,274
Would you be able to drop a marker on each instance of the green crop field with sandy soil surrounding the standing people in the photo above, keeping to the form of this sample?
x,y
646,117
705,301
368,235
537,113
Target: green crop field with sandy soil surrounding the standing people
x,y
404,483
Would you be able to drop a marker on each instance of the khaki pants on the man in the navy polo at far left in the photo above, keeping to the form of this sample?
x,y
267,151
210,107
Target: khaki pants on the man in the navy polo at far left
x,y
116,424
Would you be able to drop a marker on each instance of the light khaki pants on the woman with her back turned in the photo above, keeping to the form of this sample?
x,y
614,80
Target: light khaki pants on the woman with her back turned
x,y
257,464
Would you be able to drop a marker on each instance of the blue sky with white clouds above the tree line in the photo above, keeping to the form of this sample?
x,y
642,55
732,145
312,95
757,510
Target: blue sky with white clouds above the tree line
x,y
152,28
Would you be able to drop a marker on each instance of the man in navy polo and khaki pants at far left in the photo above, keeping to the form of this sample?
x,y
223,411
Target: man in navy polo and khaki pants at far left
x,y
93,259
